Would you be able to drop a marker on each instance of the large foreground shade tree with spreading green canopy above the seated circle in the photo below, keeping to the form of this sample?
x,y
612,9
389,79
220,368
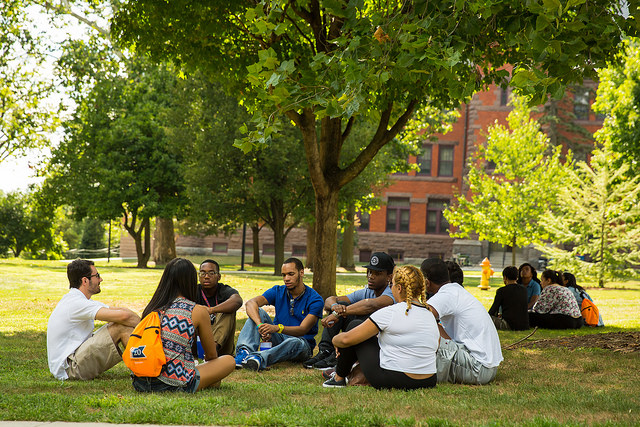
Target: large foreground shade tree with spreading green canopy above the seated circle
x,y
325,64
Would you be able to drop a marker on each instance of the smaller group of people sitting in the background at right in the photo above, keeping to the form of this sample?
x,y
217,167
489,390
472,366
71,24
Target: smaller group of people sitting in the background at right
x,y
553,302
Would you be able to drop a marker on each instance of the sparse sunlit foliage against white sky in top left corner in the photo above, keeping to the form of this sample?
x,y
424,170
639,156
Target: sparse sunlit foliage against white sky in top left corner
x,y
25,117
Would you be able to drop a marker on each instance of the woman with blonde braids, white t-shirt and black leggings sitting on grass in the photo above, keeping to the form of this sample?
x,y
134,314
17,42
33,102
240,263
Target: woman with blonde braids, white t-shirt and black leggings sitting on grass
x,y
396,346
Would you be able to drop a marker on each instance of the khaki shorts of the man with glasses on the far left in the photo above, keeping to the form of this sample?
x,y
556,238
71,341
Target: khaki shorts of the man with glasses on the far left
x,y
94,356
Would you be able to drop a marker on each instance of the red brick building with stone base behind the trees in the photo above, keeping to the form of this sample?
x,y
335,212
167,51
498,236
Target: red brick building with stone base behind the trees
x,y
410,224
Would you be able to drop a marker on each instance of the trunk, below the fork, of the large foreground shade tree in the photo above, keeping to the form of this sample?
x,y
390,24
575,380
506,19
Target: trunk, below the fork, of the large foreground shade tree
x,y
326,244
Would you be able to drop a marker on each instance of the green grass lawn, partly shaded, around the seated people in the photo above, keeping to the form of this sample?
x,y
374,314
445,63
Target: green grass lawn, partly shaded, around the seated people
x,y
534,386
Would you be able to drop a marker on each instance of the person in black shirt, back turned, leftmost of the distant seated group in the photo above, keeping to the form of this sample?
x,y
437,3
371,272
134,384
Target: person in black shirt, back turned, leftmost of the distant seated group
x,y
509,308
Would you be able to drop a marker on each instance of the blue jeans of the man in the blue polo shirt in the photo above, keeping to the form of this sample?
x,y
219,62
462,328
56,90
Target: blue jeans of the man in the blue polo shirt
x,y
285,347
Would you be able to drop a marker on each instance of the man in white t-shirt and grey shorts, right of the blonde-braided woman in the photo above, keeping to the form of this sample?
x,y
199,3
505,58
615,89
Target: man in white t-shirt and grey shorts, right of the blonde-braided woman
x,y
469,352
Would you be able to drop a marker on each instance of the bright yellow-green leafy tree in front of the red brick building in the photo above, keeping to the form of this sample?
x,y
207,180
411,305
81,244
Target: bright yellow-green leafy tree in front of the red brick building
x,y
512,179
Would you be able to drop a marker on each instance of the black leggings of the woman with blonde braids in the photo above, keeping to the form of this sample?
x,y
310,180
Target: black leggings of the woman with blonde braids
x,y
368,354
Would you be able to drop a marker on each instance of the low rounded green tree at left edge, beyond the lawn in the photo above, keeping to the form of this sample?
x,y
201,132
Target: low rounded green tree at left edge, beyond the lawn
x,y
26,225
